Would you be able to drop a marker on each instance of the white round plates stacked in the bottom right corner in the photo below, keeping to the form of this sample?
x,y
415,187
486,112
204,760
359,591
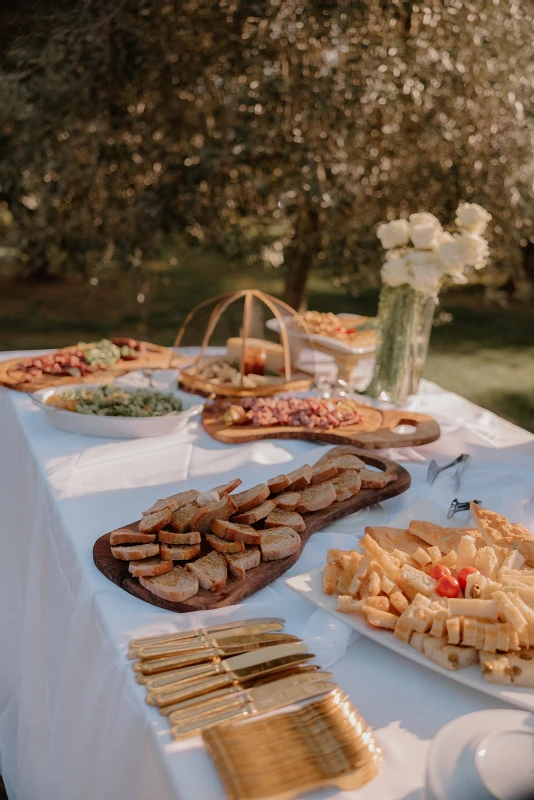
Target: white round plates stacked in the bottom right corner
x,y
464,764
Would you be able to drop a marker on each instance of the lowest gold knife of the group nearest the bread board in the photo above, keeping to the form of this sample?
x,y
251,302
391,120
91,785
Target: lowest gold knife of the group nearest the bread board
x,y
228,647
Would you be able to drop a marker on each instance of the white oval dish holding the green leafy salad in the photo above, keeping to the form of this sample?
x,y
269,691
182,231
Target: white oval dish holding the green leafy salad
x,y
114,427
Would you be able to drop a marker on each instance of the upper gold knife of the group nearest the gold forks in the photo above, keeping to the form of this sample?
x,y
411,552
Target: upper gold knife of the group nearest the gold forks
x,y
235,695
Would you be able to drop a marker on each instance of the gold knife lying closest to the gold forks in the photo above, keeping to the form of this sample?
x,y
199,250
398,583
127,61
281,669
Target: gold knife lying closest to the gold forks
x,y
256,701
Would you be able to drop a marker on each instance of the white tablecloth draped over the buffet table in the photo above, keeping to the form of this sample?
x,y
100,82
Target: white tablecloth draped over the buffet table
x,y
73,722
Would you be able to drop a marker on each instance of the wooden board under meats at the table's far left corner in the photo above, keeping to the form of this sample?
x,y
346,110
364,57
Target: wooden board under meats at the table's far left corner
x,y
154,357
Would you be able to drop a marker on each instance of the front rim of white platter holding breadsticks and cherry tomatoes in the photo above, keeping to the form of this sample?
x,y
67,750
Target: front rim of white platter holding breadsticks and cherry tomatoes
x,y
309,586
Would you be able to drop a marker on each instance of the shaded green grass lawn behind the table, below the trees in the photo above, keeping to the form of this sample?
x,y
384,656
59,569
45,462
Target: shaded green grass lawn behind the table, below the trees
x,y
485,354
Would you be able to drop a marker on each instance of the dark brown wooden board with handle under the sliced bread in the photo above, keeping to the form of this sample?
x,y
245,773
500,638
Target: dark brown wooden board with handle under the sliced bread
x,y
267,571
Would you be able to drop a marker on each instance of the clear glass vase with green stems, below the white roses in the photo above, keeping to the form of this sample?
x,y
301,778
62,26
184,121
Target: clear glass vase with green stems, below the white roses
x,y
404,326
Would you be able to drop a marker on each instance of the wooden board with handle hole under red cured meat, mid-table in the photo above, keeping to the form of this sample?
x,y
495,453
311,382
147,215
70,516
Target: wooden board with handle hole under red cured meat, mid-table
x,y
377,431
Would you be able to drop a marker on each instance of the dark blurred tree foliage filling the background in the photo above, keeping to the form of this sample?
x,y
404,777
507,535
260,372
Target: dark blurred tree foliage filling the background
x,y
260,141
